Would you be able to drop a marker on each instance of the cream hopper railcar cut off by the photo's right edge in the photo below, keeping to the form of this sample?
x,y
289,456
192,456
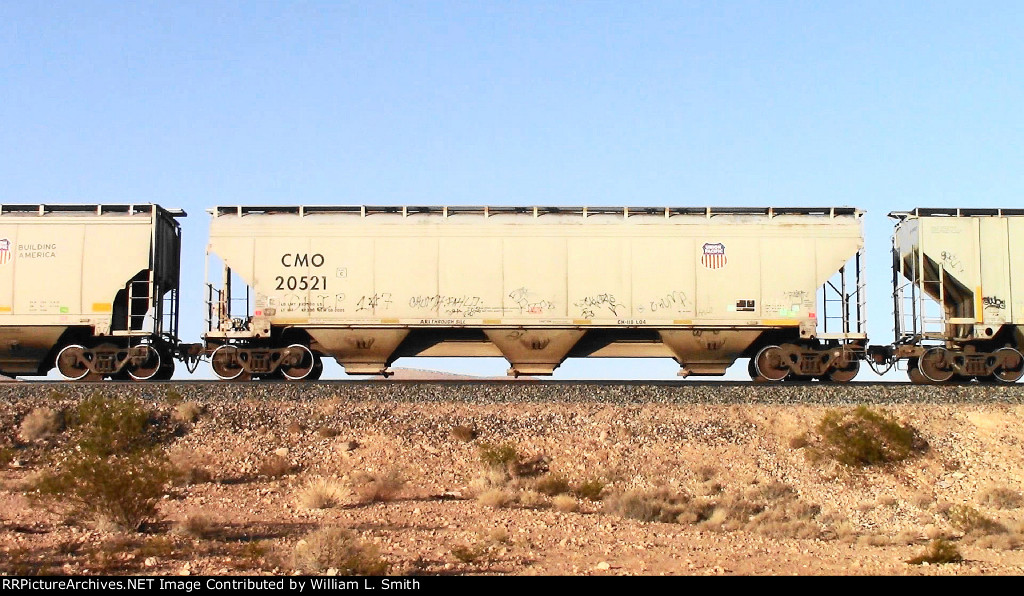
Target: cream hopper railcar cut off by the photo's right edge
x,y
959,295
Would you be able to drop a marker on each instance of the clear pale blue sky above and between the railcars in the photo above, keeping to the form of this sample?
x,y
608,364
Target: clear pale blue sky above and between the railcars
x,y
881,106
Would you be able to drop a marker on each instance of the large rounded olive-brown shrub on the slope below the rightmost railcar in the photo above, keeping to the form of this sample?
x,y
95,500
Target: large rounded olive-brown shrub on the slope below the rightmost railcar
x,y
865,438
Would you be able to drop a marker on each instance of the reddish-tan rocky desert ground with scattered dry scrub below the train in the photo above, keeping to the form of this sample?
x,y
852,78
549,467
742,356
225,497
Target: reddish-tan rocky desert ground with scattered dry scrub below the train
x,y
515,480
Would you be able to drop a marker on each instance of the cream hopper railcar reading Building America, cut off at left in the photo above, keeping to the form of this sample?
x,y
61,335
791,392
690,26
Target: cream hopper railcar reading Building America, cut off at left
x,y
90,289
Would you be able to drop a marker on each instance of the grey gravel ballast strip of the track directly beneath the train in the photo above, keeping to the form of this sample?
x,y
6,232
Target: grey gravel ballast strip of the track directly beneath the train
x,y
511,392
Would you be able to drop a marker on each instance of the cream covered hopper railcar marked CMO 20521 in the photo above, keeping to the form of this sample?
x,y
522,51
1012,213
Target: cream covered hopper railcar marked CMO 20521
x,y
535,285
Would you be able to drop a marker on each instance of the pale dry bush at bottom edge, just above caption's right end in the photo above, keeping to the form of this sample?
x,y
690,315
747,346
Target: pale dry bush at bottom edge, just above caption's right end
x,y
337,551
